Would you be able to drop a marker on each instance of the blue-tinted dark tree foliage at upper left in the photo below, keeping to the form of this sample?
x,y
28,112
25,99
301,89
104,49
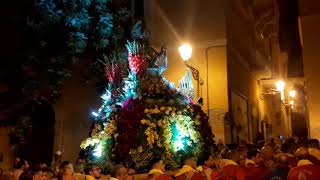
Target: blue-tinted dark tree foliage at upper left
x,y
67,30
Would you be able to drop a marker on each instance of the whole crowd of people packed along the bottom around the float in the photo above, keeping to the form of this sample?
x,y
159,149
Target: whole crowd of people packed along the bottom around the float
x,y
278,159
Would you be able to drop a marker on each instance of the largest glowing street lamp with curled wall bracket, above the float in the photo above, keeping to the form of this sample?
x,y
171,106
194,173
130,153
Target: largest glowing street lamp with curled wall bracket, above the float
x,y
185,51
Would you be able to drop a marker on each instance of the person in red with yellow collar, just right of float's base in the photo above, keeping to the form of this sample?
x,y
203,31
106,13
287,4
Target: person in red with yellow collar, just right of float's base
x,y
231,169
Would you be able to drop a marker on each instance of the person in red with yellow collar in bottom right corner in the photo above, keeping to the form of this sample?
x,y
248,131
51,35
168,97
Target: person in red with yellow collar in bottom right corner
x,y
305,169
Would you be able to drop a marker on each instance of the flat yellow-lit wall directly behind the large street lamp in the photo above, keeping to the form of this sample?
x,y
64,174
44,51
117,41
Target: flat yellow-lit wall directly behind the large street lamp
x,y
203,25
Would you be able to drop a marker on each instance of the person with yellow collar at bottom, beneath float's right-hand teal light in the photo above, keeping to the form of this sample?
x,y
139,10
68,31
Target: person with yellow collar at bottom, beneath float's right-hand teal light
x,y
188,170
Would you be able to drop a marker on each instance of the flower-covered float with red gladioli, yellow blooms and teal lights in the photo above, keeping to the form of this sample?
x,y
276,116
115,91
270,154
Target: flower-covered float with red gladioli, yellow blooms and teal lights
x,y
144,116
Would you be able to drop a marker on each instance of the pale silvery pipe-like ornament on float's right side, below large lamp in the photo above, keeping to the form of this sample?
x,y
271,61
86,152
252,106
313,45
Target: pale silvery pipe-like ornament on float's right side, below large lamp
x,y
185,84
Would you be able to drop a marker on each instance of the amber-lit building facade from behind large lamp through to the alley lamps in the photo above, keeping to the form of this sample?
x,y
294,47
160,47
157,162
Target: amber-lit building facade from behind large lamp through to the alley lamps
x,y
238,52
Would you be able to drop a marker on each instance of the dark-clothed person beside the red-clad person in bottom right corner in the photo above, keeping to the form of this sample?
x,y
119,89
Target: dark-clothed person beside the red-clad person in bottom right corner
x,y
281,170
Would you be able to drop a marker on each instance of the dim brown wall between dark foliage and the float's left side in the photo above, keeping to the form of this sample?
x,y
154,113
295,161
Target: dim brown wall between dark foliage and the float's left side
x,y
73,110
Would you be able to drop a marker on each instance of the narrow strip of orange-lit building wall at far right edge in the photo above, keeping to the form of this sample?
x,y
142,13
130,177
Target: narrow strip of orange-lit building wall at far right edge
x,y
309,30
